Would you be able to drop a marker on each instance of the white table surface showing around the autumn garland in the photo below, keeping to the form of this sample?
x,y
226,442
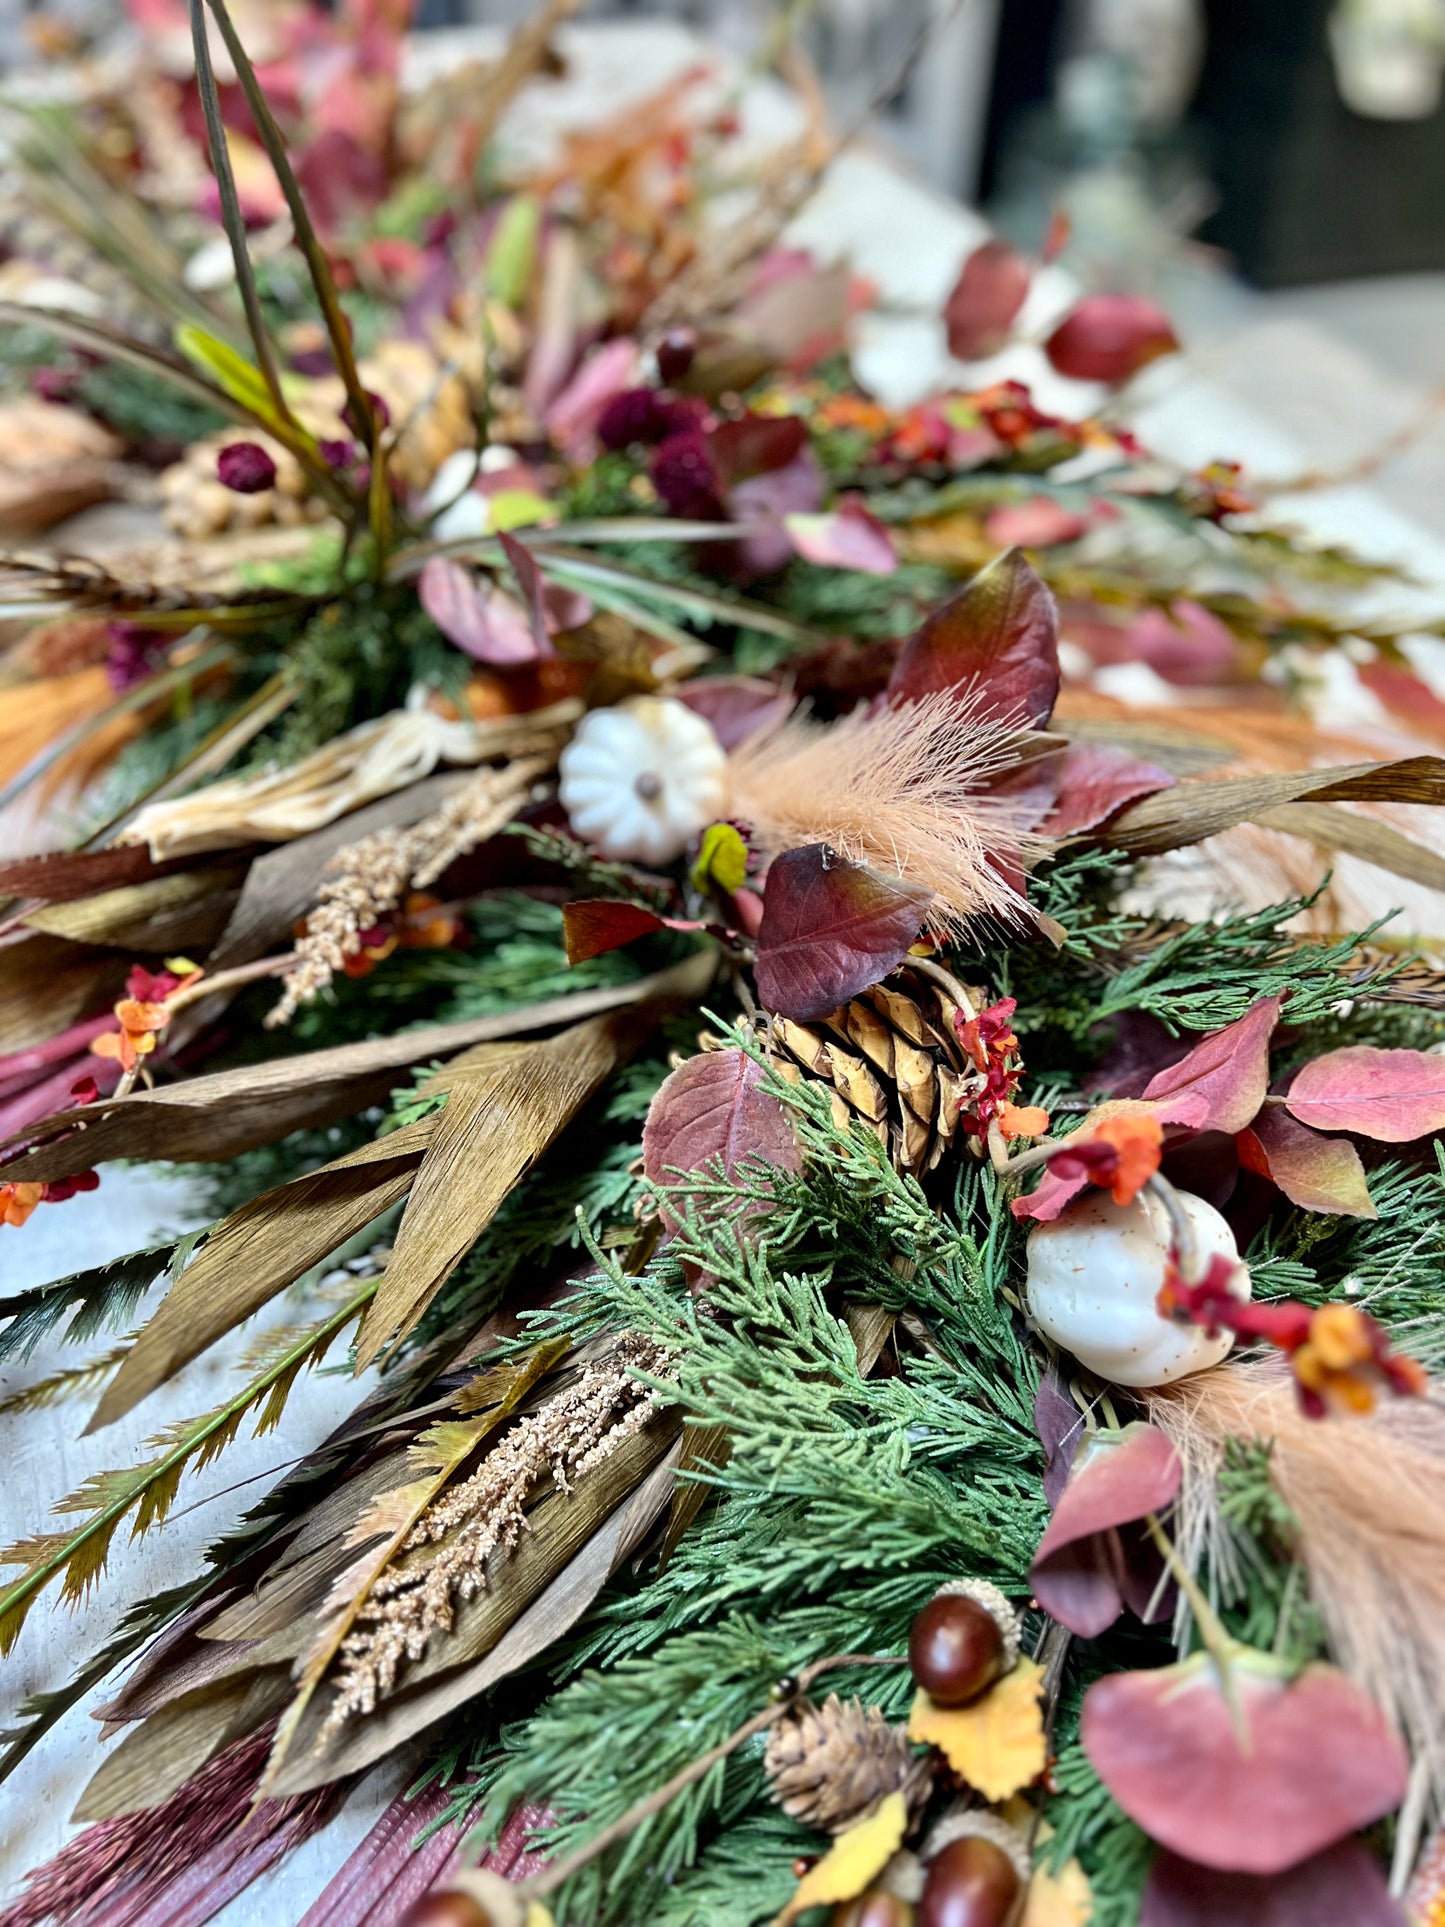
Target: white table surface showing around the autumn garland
x,y
910,242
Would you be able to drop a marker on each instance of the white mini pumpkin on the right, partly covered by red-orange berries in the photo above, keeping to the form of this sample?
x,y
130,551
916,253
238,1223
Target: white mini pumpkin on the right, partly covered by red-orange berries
x,y
1095,1275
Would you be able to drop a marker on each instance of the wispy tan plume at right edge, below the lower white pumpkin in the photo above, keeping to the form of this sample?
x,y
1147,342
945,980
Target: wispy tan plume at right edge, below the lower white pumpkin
x,y
1365,1494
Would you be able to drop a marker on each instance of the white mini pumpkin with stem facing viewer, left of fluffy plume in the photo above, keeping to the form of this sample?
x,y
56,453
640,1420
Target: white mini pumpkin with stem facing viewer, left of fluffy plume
x,y
639,781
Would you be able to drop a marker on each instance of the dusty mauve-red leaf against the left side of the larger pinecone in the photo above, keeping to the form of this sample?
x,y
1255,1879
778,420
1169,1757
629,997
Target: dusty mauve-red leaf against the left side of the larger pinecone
x,y
716,1107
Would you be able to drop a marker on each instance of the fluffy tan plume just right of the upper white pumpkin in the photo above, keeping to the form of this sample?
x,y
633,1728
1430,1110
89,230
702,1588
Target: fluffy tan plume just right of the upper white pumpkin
x,y
903,789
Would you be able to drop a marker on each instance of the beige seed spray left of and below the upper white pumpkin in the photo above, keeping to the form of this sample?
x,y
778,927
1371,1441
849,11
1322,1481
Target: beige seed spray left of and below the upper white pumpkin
x,y
373,876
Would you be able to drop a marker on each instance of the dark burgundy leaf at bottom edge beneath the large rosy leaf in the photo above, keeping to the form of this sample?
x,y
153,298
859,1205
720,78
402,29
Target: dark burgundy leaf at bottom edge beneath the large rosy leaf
x,y
1338,1887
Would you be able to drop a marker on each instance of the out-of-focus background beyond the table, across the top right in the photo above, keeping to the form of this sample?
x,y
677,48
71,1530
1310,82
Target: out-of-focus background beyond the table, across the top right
x,y
1271,171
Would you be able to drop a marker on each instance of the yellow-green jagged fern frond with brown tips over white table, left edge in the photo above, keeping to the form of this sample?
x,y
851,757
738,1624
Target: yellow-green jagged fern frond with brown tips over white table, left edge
x,y
149,1491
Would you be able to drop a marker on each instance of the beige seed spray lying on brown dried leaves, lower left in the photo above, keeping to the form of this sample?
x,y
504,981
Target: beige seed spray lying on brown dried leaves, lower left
x,y
573,1433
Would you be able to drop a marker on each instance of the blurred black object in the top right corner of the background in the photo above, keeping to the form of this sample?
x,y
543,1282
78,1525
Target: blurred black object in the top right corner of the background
x,y
1309,192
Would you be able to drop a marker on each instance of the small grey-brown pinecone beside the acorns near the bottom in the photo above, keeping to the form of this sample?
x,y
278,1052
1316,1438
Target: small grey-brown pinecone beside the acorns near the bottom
x,y
833,1764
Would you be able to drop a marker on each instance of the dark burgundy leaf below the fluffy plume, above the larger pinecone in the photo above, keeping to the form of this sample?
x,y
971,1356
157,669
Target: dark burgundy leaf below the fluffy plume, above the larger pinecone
x,y
831,930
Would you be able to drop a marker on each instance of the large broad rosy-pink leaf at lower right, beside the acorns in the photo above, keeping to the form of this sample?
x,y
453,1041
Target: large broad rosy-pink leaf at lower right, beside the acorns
x,y
1323,1760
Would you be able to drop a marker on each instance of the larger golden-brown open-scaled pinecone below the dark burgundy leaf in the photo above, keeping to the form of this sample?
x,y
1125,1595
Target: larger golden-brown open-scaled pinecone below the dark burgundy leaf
x,y
893,1061
